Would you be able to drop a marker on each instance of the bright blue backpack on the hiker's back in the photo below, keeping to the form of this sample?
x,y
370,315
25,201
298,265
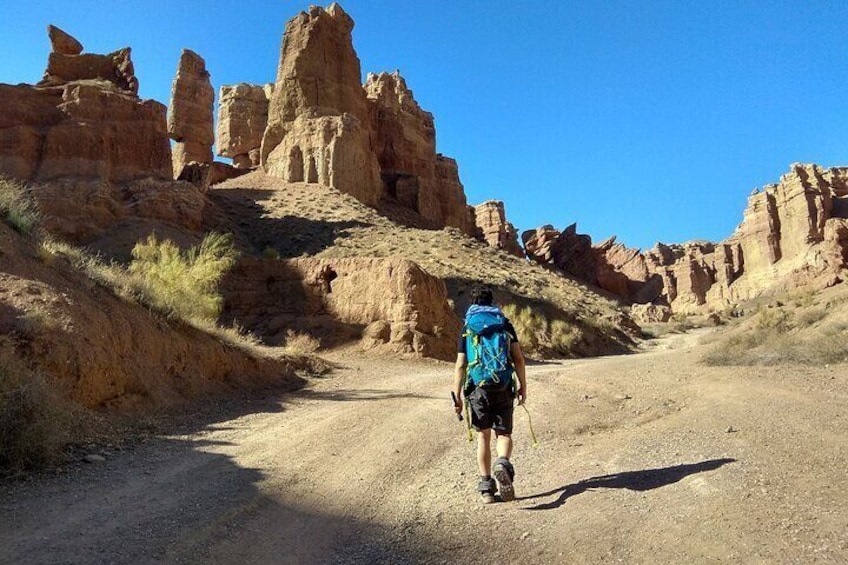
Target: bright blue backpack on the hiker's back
x,y
487,347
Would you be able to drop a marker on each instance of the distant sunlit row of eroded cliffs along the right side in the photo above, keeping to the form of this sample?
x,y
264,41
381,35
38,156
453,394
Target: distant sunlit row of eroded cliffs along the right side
x,y
793,233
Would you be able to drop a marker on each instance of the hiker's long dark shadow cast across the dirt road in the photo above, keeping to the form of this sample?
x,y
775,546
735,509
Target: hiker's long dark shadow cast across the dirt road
x,y
632,480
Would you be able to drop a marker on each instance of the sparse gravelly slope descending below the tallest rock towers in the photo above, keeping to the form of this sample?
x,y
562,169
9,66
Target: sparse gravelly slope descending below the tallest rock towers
x,y
269,216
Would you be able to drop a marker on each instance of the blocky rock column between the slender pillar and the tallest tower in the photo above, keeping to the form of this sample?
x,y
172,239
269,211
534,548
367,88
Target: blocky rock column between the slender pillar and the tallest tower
x,y
242,119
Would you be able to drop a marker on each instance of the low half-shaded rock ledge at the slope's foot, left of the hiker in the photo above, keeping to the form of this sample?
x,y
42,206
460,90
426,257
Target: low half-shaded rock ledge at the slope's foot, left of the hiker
x,y
386,305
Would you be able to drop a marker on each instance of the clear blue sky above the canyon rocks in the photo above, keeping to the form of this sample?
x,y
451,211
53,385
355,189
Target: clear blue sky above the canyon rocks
x,y
652,120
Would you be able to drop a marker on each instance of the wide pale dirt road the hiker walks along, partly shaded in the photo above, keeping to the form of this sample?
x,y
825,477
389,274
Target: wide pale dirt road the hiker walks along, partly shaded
x,y
650,458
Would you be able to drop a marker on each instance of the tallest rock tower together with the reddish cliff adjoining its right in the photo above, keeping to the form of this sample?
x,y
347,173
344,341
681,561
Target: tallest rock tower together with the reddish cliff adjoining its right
x,y
373,141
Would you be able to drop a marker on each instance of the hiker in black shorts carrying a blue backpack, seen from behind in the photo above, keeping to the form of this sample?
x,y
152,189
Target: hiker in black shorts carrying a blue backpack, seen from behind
x,y
488,356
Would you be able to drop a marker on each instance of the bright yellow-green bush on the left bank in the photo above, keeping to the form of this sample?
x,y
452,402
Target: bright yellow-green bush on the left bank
x,y
183,284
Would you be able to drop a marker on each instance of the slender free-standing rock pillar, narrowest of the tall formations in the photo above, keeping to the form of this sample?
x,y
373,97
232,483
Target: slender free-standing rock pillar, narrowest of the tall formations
x,y
190,114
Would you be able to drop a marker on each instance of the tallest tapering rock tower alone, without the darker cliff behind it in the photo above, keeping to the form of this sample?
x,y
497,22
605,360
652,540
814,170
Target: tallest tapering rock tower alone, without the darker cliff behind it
x,y
318,122
